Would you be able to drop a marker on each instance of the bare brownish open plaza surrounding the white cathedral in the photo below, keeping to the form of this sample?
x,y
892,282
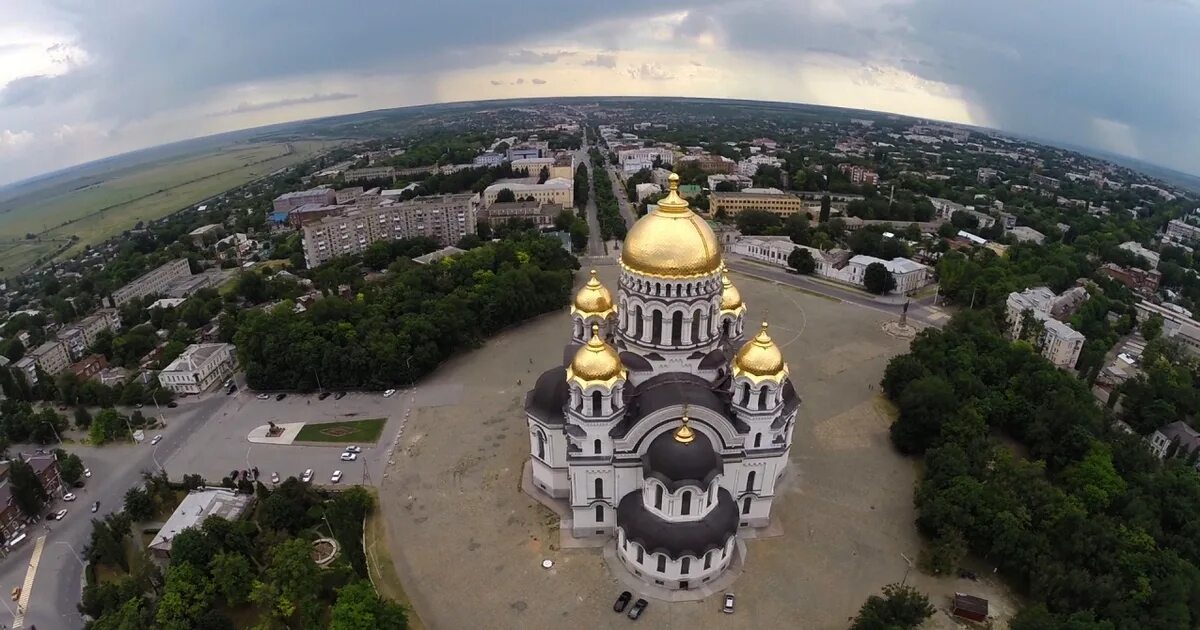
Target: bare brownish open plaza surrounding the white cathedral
x,y
469,544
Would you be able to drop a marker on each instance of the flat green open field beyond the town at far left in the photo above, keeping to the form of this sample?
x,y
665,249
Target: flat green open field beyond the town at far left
x,y
101,208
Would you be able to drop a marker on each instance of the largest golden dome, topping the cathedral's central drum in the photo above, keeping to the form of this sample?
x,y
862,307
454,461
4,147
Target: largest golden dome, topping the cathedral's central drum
x,y
671,242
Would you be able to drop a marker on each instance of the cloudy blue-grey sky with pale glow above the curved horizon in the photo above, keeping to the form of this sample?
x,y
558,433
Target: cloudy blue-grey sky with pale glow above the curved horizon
x,y
82,80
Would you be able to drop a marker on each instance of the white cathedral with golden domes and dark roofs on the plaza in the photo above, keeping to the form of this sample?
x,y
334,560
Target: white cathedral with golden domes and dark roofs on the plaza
x,y
664,429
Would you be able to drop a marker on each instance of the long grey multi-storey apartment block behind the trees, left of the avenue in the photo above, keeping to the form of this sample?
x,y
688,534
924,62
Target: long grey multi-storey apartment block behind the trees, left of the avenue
x,y
446,218
